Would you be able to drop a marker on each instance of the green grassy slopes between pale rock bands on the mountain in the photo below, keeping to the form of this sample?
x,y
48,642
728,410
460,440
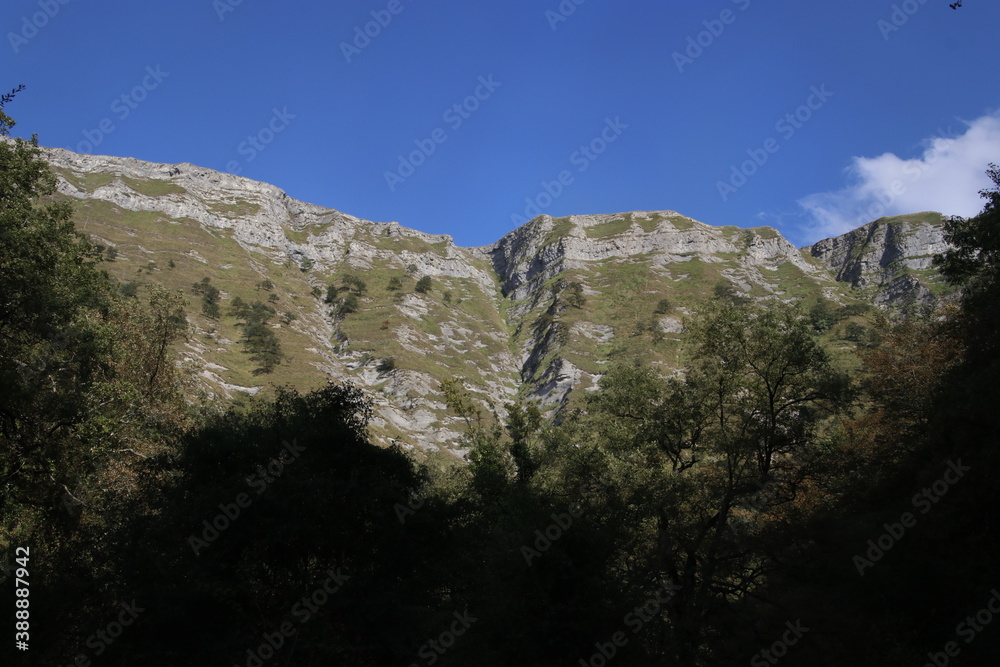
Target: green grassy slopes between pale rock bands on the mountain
x,y
458,336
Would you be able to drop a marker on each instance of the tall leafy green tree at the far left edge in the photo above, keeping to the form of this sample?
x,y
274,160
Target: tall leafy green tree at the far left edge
x,y
51,286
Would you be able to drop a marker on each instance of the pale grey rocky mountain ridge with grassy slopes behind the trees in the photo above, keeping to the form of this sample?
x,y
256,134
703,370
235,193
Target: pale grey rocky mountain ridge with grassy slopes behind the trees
x,y
538,315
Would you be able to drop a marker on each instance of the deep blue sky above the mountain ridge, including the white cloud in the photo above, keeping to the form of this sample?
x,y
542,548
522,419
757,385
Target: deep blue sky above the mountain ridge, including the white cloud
x,y
563,108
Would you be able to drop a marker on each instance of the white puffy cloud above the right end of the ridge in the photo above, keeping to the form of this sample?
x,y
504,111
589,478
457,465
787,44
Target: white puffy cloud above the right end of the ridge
x,y
946,177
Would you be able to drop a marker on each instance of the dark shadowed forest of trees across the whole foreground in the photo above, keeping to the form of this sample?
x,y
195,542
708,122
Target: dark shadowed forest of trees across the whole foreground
x,y
767,506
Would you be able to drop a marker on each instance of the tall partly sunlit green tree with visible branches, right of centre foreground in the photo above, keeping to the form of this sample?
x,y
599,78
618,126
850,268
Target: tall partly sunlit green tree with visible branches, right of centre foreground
x,y
701,458
